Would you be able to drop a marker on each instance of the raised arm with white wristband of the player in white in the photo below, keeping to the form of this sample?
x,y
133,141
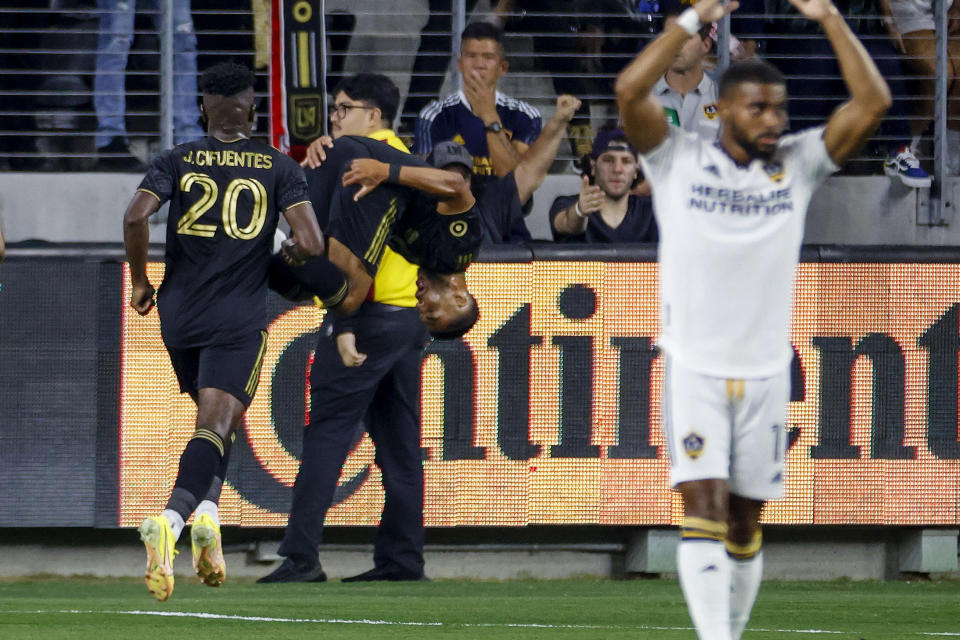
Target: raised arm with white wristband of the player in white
x,y
642,114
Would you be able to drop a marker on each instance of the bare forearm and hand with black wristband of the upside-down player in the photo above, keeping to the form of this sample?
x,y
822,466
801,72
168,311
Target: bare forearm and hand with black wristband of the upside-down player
x,y
450,187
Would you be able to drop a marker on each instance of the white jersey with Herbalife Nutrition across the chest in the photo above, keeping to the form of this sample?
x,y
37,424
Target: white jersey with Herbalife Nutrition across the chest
x,y
729,243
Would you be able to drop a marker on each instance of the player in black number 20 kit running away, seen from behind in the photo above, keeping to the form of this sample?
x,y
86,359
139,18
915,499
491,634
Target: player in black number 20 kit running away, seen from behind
x,y
226,193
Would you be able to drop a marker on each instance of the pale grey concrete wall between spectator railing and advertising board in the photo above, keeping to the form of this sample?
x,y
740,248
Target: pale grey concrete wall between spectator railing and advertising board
x,y
88,207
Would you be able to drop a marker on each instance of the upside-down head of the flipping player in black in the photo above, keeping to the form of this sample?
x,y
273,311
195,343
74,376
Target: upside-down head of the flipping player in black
x,y
446,307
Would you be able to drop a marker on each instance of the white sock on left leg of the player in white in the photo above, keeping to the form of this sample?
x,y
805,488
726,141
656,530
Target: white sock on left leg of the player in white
x,y
704,569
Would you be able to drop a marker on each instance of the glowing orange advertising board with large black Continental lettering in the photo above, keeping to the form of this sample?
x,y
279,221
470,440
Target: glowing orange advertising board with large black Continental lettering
x,y
548,412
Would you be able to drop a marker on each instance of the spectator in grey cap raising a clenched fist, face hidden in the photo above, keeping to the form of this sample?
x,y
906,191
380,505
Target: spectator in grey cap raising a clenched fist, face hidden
x,y
501,201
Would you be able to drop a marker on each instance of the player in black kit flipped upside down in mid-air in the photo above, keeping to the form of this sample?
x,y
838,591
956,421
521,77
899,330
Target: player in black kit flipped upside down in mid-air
x,y
367,195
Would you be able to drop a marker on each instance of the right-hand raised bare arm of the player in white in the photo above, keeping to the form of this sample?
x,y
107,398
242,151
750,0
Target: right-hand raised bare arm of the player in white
x,y
855,121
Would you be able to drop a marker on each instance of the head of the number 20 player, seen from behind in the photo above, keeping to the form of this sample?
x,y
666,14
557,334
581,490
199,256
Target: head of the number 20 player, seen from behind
x,y
228,106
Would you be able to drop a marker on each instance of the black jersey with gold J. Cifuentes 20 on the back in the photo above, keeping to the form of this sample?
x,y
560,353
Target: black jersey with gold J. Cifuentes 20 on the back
x,y
225,202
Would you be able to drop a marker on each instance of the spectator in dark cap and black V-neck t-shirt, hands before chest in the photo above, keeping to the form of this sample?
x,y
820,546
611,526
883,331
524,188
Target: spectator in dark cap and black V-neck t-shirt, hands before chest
x,y
605,210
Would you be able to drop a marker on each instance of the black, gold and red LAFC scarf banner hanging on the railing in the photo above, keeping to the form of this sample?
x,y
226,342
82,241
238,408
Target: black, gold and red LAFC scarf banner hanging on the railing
x,y
297,107
